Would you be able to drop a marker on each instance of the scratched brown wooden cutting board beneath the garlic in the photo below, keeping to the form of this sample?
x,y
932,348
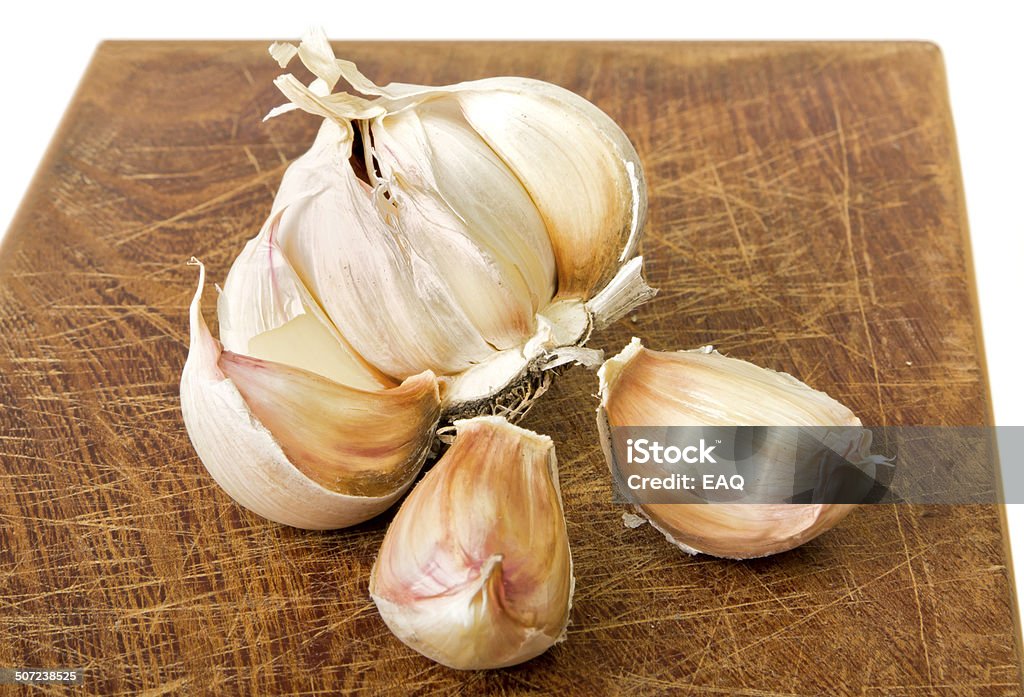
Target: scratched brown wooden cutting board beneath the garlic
x,y
805,213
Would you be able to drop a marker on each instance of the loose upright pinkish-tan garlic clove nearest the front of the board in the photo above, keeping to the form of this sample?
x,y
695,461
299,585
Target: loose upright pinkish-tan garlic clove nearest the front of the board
x,y
476,571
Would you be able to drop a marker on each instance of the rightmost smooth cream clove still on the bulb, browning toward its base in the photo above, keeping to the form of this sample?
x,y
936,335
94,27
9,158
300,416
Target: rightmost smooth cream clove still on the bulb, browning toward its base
x,y
578,166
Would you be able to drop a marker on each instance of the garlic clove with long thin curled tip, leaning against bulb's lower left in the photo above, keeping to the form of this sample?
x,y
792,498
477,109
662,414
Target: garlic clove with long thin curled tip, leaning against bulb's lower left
x,y
249,461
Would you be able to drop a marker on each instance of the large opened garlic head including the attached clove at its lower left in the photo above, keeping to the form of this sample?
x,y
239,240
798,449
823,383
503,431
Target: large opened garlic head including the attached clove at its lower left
x,y
435,255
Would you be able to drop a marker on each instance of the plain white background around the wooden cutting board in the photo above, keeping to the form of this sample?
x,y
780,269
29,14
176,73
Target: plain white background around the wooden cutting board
x,y
48,48
